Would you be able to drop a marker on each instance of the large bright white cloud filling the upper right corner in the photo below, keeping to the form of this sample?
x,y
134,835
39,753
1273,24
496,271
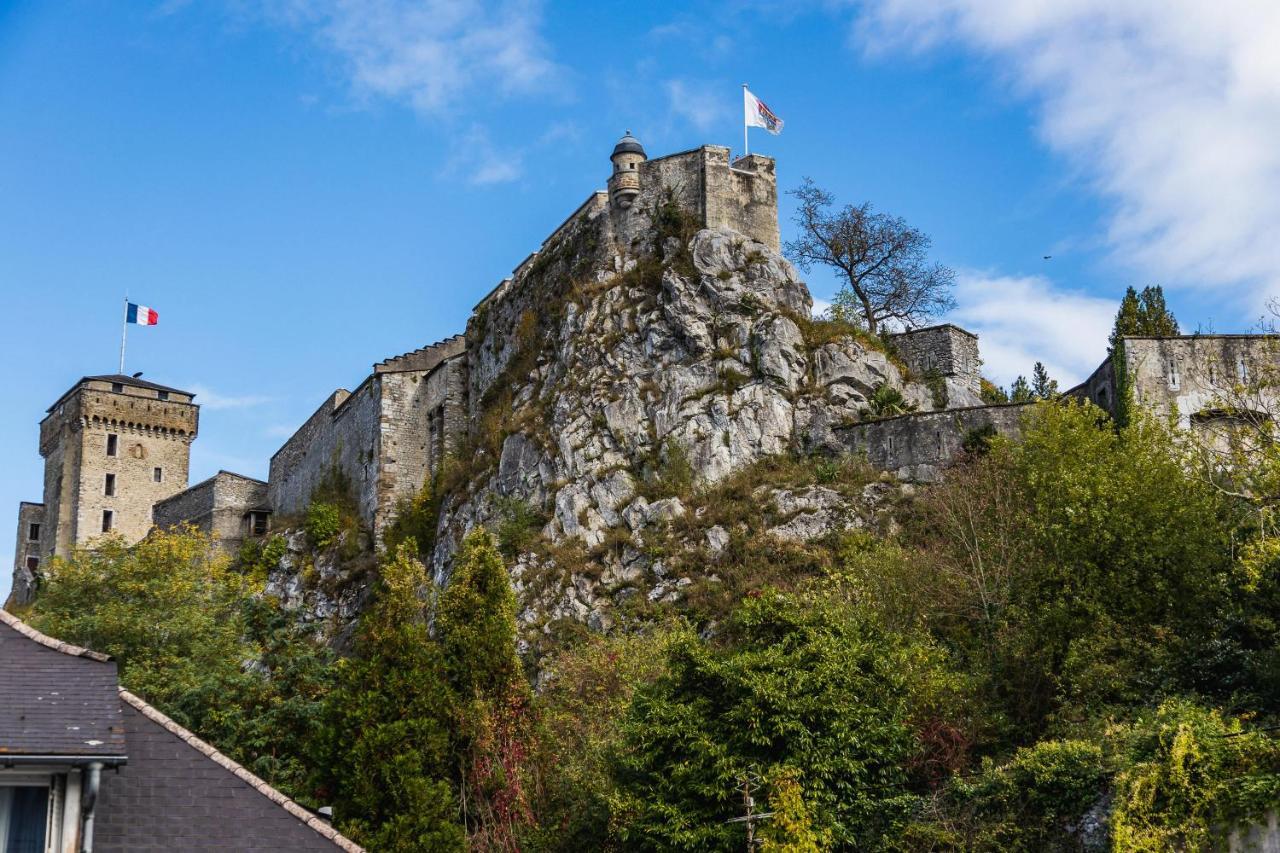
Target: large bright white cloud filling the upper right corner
x,y
1171,108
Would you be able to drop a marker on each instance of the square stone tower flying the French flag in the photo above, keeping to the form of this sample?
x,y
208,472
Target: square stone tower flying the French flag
x,y
113,448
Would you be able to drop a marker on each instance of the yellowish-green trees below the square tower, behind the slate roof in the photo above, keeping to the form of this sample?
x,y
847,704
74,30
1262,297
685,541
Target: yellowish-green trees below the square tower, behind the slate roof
x,y
182,622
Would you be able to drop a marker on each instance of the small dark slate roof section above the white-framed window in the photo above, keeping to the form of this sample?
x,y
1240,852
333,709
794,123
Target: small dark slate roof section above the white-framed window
x,y
60,700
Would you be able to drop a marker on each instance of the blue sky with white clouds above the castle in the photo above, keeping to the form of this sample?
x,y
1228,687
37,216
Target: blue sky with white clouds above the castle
x,y
303,188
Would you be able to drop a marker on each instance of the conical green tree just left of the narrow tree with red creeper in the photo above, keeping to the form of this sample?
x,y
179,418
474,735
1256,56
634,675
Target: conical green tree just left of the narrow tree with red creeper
x,y
391,751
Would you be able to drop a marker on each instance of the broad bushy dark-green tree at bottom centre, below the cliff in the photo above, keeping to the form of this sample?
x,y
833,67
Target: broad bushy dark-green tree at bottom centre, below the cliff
x,y
792,690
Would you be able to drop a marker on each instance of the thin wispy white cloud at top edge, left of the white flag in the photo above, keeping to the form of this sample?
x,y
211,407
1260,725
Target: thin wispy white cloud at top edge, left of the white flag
x,y
429,53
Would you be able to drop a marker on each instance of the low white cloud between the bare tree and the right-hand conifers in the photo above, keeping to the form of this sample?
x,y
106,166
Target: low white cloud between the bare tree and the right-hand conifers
x,y
1026,320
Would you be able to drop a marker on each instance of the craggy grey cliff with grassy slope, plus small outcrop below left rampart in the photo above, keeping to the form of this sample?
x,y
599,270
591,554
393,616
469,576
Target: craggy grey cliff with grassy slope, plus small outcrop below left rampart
x,y
651,422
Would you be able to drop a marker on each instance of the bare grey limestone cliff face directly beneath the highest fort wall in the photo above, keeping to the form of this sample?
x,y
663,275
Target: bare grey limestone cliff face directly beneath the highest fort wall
x,y
634,398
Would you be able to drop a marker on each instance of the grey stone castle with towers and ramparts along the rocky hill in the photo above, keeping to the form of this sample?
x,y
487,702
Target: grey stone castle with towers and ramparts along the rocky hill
x,y
117,449
